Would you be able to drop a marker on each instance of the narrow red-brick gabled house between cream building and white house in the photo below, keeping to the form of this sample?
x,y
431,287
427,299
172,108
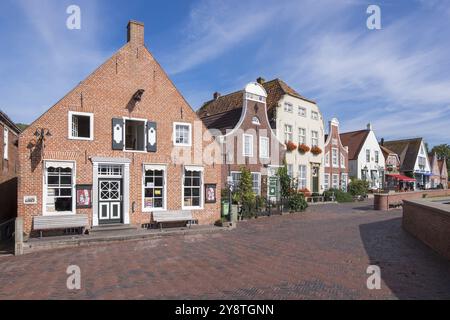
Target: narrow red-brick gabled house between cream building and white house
x,y
336,159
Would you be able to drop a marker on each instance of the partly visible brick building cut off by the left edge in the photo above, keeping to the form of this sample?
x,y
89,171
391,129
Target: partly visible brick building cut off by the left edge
x,y
9,135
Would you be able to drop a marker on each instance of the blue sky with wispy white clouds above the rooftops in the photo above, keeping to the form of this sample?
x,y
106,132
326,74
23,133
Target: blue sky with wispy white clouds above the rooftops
x,y
397,78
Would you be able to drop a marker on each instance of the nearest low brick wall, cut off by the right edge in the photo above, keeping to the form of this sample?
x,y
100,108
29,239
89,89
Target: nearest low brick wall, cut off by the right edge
x,y
430,223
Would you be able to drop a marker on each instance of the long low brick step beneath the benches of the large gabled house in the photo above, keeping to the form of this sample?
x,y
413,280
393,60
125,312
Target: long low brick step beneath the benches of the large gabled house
x,y
59,242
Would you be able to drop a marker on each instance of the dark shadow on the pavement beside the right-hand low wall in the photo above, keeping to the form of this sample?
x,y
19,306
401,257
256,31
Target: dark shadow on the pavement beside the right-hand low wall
x,y
409,268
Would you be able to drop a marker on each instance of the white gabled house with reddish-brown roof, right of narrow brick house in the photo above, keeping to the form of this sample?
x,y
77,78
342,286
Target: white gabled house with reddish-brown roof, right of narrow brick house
x,y
366,159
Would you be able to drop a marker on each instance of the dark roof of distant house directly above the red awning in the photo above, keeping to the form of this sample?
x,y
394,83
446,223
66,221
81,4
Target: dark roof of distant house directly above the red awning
x,y
407,150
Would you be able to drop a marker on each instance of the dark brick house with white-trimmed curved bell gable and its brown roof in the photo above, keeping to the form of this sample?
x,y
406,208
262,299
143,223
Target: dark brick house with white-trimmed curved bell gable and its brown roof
x,y
240,122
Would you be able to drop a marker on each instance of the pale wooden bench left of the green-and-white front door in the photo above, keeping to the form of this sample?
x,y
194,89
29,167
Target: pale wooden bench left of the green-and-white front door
x,y
42,223
